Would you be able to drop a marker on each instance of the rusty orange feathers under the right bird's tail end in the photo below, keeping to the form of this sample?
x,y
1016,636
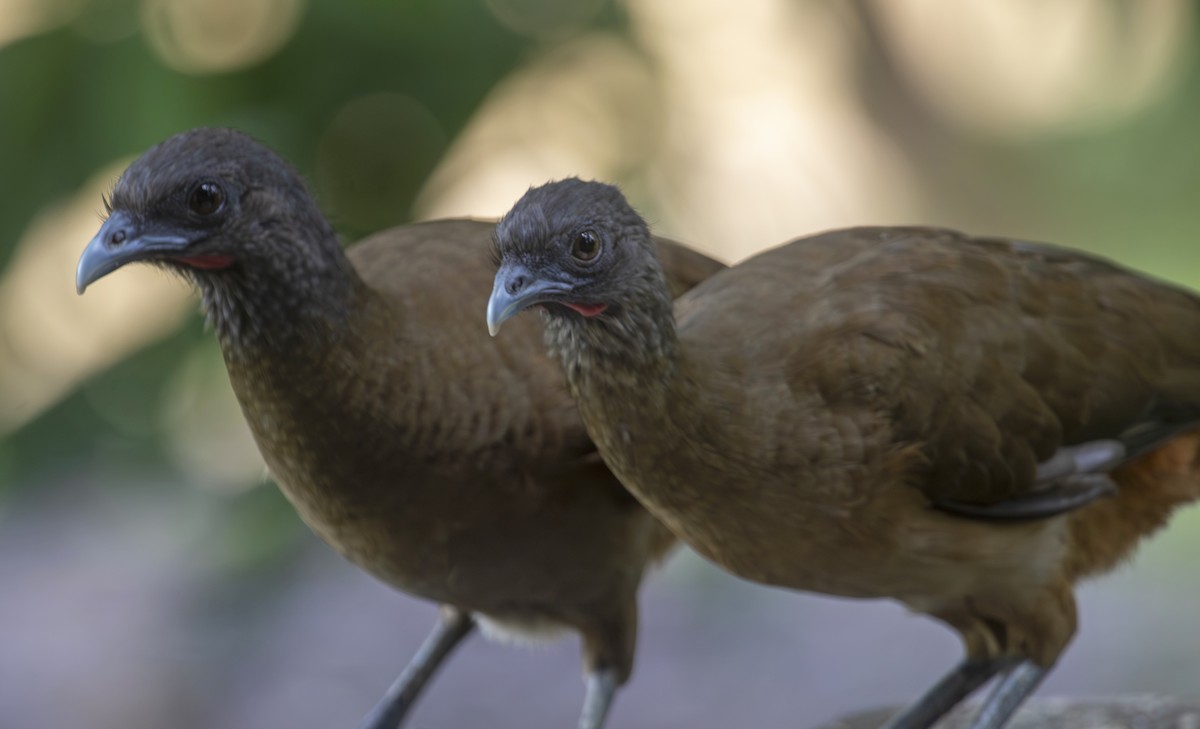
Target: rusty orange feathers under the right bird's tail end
x,y
1150,489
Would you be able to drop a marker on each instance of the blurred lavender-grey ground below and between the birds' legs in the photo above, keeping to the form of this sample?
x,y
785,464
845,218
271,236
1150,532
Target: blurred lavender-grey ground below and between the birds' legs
x,y
119,616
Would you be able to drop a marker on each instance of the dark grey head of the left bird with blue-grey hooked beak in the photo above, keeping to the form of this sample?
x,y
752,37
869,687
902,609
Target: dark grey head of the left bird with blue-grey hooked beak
x,y
205,203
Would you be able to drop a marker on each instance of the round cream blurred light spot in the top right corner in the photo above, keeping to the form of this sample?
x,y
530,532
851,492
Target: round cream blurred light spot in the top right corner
x,y
1027,67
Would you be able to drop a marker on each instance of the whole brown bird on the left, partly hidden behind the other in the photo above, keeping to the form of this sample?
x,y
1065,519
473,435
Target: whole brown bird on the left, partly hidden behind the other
x,y
447,465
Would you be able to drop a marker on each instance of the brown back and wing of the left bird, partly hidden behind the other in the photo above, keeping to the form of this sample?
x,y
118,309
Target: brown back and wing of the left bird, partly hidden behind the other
x,y
502,399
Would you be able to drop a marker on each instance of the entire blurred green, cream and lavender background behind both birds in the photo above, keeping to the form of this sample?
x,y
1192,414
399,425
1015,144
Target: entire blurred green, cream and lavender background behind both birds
x,y
152,577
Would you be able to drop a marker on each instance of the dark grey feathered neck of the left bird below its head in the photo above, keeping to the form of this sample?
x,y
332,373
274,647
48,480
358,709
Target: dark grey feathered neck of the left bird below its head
x,y
277,303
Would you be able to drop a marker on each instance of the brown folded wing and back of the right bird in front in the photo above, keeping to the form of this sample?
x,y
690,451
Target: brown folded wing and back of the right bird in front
x,y
989,356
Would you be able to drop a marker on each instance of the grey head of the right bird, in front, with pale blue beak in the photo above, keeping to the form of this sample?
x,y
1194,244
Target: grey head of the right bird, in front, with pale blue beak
x,y
573,248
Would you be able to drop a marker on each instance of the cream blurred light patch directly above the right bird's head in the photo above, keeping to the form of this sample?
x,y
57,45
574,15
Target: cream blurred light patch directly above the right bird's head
x,y
587,109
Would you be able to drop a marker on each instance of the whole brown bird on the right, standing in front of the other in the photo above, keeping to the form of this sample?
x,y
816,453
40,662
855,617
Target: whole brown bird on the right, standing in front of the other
x,y
903,413
